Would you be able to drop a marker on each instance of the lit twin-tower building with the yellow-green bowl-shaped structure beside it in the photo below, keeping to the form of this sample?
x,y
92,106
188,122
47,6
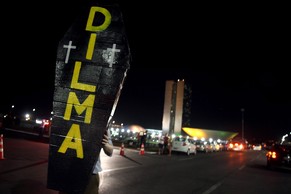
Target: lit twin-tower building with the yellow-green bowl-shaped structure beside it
x,y
177,114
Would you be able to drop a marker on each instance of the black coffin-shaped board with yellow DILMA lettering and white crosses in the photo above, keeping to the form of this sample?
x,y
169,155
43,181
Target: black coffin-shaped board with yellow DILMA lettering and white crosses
x,y
93,58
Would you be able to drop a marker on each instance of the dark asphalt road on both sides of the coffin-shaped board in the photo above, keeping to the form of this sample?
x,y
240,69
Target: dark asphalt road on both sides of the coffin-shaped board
x,y
24,170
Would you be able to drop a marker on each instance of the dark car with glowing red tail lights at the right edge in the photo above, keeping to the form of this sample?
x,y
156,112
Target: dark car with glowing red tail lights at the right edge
x,y
279,156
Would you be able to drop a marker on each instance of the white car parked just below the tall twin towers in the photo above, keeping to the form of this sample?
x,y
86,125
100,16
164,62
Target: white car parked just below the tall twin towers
x,y
184,145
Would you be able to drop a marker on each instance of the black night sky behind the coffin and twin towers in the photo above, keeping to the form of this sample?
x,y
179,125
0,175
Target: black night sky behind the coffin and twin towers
x,y
233,56
